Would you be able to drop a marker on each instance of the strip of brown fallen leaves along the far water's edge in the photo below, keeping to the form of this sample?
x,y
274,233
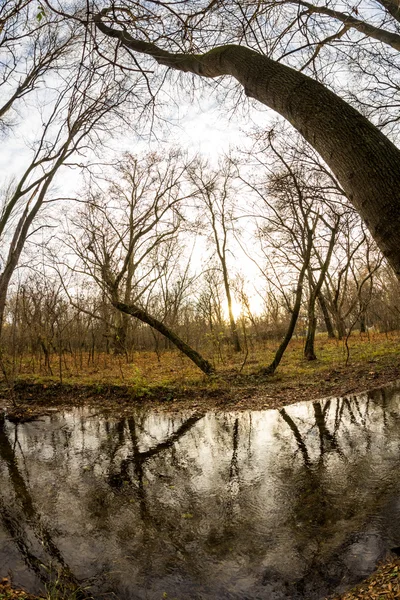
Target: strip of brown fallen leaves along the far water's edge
x,y
233,392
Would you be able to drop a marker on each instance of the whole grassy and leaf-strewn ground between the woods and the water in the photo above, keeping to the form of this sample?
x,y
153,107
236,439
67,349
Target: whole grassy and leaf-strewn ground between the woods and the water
x,y
174,383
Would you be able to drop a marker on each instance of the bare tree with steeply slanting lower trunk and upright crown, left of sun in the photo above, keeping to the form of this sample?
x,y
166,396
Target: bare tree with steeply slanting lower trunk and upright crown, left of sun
x,y
120,238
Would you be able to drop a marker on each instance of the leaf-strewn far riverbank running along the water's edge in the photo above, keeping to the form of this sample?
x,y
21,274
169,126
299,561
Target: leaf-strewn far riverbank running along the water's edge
x,y
227,390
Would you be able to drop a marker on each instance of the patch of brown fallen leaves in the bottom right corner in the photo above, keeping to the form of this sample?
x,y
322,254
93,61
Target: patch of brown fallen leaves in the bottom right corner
x,y
384,584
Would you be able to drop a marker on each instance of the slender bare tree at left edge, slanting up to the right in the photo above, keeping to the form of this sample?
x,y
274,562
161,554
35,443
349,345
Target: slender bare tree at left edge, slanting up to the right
x,y
77,118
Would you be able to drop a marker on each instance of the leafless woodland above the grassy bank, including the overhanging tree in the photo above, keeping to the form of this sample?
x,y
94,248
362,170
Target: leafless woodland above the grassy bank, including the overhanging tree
x,y
219,259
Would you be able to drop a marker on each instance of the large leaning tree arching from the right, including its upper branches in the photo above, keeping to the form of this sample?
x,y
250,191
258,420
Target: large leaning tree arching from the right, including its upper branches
x,y
312,63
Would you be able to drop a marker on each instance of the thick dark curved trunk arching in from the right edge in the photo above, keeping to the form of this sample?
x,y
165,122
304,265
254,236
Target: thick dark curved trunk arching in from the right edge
x,y
365,162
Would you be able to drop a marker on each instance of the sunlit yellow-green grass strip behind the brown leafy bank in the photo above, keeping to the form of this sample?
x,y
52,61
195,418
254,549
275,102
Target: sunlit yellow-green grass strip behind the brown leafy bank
x,y
146,370
